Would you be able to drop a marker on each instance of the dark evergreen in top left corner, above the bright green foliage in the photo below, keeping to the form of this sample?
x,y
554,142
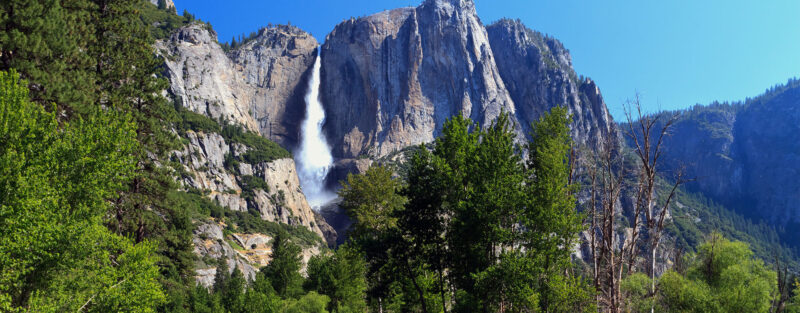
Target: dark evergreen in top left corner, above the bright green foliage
x,y
45,41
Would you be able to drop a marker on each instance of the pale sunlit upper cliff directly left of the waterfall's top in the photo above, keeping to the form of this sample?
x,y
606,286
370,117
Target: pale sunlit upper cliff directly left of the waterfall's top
x,y
260,84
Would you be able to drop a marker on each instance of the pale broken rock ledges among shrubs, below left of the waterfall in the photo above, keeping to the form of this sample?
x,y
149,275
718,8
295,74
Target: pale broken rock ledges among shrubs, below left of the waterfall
x,y
282,201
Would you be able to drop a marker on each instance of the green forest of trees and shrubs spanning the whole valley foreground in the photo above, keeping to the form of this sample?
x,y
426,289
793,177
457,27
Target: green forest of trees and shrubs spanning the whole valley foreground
x,y
92,218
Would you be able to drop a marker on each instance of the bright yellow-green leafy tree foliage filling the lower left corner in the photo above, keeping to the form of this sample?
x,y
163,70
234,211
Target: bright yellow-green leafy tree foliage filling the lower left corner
x,y
56,183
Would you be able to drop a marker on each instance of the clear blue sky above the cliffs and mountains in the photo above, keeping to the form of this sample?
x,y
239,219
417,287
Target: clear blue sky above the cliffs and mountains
x,y
674,53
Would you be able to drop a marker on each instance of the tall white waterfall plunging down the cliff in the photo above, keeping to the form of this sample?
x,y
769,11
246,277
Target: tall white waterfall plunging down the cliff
x,y
314,157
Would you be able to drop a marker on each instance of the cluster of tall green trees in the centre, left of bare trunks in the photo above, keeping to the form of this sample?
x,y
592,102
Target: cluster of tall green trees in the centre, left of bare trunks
x,y
473,228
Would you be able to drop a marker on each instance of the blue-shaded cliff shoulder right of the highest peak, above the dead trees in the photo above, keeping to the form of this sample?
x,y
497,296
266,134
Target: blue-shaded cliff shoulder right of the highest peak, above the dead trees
x,y
537,71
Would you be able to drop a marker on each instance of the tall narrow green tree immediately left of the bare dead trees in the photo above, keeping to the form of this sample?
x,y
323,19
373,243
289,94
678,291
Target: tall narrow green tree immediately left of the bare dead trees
x,y
550,218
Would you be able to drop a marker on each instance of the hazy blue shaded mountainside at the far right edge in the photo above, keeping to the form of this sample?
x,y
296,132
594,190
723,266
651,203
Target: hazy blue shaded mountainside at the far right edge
x,y
744,155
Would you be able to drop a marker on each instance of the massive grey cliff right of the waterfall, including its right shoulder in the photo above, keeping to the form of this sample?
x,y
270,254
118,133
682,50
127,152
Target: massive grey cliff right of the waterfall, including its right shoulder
x,y
391,79
